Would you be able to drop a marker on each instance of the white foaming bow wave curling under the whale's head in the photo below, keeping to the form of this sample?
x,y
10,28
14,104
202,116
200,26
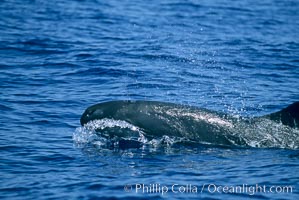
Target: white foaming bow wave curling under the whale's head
x,y
110,133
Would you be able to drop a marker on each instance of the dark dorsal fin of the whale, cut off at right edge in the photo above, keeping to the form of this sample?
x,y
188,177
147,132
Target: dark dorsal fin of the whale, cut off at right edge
x,y
288,116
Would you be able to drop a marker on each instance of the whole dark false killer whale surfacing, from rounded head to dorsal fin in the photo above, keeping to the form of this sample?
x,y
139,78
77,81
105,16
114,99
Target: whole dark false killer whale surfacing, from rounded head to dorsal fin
x,y
157,119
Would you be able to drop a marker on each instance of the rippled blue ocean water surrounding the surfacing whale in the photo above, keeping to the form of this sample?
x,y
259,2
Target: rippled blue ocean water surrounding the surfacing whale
x,y
59,57
